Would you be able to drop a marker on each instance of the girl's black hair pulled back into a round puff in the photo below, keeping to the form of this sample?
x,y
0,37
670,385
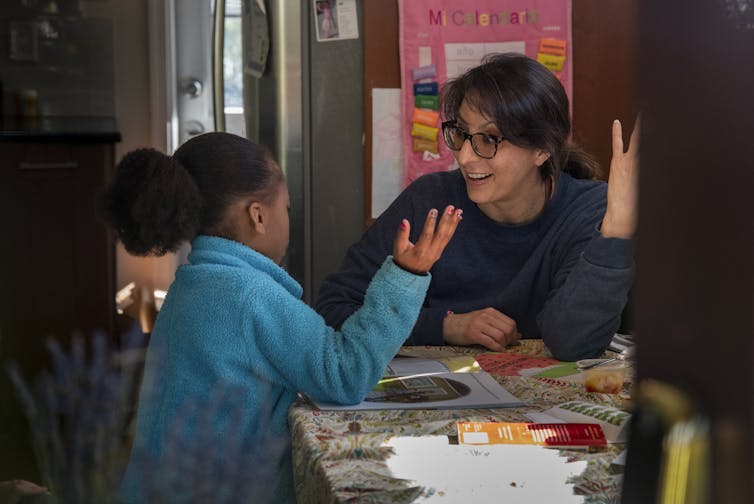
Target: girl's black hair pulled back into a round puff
x,y
155,201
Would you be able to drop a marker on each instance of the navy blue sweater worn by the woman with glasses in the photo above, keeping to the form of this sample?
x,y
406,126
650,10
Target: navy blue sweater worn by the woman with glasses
x,y
556,276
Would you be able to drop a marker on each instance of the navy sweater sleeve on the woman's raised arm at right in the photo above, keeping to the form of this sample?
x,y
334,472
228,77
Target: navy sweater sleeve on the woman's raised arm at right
x,y
583,310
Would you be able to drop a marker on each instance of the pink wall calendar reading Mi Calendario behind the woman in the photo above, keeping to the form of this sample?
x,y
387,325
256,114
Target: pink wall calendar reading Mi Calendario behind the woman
x,y
440,39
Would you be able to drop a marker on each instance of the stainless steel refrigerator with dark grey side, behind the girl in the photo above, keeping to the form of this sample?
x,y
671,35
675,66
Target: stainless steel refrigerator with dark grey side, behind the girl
x,y
308,107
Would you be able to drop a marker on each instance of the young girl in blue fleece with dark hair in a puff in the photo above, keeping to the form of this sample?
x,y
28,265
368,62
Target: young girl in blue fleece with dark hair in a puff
x,y
233,318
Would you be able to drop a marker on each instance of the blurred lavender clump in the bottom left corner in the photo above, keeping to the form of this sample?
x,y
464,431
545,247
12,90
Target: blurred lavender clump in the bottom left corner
x,y
78,412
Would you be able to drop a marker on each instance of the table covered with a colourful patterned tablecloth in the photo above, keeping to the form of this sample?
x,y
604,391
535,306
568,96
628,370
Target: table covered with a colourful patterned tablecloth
x,y
343,456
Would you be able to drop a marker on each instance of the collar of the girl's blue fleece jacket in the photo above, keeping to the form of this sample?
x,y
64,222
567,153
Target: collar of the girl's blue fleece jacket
x,y
217,250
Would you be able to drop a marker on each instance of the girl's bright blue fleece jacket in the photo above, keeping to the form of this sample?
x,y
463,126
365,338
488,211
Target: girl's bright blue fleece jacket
x,y
233,318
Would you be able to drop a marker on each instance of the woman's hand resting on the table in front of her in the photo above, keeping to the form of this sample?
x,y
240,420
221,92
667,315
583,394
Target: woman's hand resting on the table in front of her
x,y
487,327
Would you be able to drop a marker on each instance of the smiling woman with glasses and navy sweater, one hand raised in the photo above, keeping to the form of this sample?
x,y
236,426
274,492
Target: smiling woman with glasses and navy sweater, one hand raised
x,y
545,251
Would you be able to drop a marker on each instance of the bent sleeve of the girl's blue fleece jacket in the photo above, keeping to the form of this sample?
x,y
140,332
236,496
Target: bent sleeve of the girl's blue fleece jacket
x,y
305,354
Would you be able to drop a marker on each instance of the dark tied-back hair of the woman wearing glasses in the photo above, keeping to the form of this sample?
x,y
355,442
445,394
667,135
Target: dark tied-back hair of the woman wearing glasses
x,y
528,105
